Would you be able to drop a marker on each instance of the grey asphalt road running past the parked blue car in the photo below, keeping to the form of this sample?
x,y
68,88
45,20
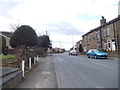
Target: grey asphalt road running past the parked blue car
x,y
81,72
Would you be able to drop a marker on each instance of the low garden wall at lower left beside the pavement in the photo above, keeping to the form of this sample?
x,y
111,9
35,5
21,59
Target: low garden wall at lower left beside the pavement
x,y
12,78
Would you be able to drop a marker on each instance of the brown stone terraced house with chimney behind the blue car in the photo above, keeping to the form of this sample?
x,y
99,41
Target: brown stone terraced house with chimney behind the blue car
x,y
106,36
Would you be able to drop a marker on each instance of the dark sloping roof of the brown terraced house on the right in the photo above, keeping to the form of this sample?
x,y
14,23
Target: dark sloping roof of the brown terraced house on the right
x,y
108,23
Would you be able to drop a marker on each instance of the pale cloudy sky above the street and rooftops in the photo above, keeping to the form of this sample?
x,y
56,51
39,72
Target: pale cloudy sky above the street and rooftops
x,y
64,20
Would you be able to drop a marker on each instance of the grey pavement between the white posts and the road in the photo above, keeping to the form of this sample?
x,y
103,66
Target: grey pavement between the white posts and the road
x,y
42,76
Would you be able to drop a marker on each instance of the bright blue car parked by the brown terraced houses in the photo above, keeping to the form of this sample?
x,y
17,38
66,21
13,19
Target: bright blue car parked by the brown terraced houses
x,y
94,53
